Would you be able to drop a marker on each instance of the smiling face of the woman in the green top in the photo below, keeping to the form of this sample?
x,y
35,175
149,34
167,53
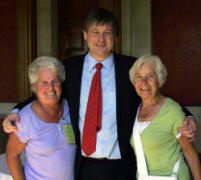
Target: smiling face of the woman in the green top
x,y
146,82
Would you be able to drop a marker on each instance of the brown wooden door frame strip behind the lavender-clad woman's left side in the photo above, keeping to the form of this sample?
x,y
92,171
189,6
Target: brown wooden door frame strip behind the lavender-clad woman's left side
x,y
26,44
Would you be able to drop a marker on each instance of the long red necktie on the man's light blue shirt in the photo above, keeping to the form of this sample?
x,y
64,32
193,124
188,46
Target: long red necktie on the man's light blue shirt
x,y
93,115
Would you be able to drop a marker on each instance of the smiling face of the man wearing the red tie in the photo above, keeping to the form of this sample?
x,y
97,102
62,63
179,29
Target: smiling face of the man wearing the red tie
x,y
100,40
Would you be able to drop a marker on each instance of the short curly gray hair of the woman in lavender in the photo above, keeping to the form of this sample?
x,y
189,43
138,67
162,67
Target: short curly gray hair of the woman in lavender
x,y
45,62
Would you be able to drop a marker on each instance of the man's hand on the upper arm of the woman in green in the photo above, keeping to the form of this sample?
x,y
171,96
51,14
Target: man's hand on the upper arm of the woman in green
x,y
189,128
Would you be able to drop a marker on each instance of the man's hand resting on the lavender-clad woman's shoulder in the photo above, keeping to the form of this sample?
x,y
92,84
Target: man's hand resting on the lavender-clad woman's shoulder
x,y
9,123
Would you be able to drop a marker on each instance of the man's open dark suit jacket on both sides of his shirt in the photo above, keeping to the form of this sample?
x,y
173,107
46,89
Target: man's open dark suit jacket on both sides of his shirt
x,y
127,102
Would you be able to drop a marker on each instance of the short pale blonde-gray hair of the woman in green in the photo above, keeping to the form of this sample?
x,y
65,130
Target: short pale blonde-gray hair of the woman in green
x,y
159,68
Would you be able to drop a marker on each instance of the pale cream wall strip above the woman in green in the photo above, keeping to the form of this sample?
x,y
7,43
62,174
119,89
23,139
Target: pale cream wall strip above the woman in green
x,y
136,27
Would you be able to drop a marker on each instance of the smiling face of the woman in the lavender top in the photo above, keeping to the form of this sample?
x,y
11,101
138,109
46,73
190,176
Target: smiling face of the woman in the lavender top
x,y
48,86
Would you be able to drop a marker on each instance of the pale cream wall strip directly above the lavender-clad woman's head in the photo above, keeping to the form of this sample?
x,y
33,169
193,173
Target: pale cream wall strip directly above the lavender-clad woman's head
x,y
47,28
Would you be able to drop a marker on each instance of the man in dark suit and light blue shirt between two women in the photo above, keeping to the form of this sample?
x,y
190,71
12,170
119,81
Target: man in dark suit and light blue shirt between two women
x,y
113,157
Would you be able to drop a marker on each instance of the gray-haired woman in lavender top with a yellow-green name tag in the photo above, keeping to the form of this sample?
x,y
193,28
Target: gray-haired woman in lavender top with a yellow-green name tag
x,y
45,130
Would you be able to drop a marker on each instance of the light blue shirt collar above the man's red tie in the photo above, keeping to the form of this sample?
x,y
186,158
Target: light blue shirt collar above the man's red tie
x,y
107,63
